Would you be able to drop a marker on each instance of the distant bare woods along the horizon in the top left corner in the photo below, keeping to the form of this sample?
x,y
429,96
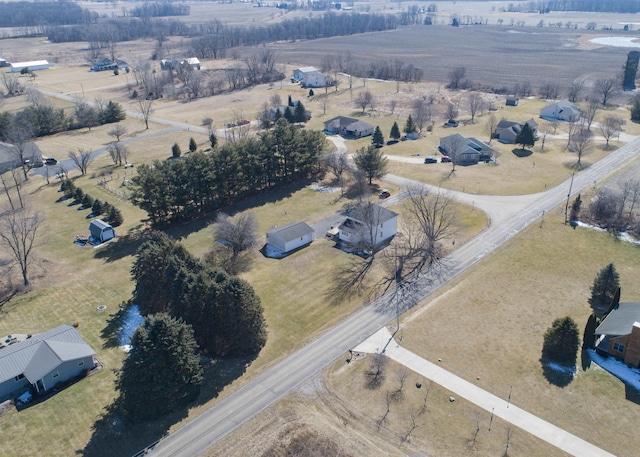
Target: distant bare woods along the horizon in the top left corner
x,y
27,14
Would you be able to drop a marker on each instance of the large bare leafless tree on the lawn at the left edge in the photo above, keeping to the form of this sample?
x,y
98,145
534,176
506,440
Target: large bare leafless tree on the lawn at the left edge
x,y
18,232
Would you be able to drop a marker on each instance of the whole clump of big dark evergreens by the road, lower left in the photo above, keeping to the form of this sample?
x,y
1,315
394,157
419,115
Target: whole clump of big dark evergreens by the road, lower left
x,y
191,309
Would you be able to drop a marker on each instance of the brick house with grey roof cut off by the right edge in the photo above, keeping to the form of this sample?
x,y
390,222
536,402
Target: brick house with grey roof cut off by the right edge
x,y
619,333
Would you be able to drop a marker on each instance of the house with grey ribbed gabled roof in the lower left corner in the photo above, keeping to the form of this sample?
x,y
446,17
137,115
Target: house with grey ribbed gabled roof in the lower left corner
x,y
44,360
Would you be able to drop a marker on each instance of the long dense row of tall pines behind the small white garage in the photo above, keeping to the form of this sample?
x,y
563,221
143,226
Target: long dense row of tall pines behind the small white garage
x,y
175,189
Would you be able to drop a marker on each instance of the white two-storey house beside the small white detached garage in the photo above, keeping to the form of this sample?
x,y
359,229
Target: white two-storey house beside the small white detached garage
x,y
369,223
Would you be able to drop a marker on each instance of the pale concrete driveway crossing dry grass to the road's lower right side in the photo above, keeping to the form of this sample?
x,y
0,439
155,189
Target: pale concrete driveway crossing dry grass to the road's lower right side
x,y
383,342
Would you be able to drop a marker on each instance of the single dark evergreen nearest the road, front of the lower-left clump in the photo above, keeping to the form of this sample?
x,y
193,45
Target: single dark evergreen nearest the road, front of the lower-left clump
x,y
162,371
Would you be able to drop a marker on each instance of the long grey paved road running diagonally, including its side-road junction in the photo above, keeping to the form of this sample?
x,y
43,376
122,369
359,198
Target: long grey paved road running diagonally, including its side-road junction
x,y
239,407
